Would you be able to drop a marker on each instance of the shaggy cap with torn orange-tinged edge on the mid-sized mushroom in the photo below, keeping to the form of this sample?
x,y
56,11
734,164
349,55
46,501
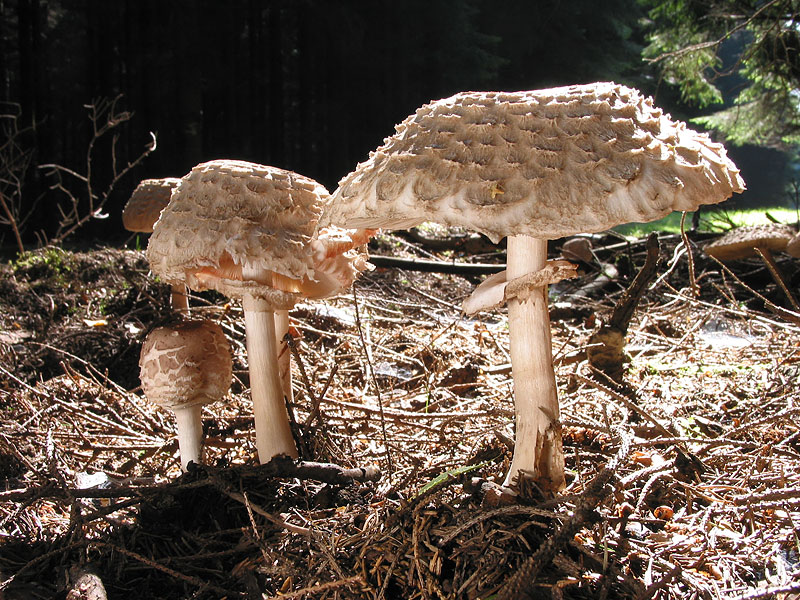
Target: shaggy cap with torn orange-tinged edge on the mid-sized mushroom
x,y
228,214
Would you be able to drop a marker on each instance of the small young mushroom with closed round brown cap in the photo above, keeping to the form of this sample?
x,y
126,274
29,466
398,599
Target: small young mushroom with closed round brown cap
x,y
182,367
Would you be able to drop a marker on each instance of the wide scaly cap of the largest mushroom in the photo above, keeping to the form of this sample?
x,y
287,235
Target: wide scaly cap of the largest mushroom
x,y
546,163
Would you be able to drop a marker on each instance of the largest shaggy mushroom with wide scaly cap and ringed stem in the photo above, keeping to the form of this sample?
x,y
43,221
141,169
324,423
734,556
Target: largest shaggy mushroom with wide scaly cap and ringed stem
x,y
534,166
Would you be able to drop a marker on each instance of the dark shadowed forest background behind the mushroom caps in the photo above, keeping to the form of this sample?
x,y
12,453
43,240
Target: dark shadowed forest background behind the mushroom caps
x,y
306,85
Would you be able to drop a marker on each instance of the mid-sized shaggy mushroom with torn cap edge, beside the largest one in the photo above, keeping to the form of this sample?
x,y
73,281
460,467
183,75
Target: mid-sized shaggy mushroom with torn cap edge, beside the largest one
x,y
250,231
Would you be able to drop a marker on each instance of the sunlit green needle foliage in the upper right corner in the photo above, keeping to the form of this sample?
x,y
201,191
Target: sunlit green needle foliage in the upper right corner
x,y
761,84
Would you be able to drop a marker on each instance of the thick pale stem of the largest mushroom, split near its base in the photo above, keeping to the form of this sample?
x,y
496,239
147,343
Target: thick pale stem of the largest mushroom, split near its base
x,y
538,451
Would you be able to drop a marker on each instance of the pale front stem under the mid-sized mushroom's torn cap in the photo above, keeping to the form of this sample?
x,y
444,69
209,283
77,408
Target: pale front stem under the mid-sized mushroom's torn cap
x,y
273,434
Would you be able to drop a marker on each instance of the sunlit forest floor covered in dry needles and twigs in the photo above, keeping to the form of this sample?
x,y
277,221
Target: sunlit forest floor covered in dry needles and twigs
x,y
684,482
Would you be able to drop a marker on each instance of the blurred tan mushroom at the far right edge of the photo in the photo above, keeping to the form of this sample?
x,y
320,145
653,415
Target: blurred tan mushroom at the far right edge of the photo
x,y
761,241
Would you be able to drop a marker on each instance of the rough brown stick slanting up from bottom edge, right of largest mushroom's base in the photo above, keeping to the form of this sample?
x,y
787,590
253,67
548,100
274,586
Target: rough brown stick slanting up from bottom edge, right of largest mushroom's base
x,y
520,585
